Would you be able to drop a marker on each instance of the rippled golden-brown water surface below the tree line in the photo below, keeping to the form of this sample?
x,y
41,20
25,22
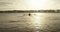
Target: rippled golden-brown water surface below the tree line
x,y
37,22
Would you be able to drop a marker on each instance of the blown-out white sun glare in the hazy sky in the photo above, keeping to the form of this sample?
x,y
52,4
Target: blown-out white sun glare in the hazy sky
x,y
37,4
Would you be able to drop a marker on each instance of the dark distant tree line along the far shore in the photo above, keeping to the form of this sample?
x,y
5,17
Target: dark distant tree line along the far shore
x,y
31,11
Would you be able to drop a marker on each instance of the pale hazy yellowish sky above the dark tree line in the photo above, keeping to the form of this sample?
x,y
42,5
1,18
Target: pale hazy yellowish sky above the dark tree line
x,y
29,4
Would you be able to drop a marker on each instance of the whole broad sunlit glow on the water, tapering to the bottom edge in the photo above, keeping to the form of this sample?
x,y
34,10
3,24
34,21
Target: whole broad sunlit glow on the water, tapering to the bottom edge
x,y
38,20
